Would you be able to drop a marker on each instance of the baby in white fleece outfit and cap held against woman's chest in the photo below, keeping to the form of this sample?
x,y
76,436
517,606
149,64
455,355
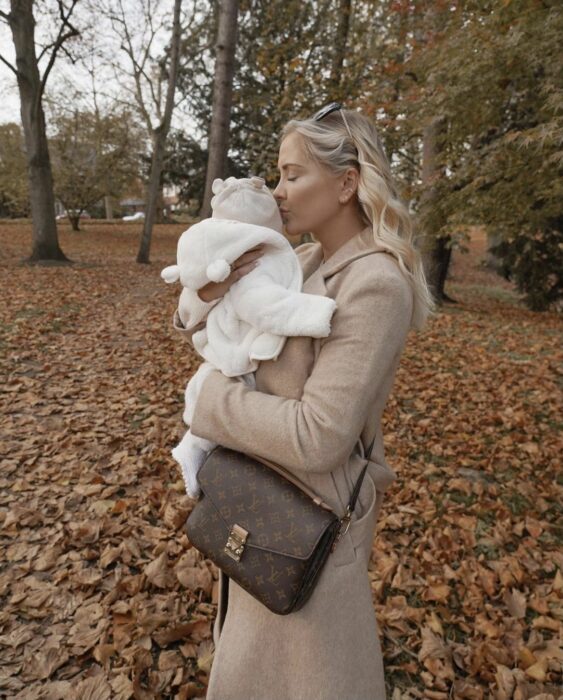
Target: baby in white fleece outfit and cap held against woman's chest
x,y
254,318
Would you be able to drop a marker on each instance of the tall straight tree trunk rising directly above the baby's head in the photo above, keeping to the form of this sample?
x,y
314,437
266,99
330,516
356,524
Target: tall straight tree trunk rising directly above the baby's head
x,y
222,99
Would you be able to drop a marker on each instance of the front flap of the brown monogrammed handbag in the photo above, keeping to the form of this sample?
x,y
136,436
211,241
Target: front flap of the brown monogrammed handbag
x,y
278,516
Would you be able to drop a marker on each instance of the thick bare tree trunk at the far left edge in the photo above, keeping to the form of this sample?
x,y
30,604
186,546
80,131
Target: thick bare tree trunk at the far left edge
x,y
45,238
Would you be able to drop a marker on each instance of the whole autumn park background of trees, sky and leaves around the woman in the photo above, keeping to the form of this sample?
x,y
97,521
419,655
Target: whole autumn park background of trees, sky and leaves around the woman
x,y
125,106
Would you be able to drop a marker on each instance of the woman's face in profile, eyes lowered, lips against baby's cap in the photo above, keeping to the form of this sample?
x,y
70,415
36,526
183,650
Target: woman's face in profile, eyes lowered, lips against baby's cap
x,y
307,195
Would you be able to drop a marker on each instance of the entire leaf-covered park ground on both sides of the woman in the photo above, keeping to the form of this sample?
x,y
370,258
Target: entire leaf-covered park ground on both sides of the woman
x,y
103,597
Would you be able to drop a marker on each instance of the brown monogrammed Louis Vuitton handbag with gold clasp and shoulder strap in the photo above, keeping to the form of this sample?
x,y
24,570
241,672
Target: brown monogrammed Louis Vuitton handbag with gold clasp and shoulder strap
x,y
264,528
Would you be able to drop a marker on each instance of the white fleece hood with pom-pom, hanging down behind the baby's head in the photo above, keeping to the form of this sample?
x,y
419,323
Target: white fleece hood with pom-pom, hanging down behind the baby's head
x,y
207,250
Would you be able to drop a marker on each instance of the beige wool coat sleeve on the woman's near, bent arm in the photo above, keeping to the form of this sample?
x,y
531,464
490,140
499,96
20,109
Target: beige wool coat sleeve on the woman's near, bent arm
x,y
317,433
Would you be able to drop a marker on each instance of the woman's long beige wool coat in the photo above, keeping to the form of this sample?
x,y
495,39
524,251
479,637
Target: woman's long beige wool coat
x,y
308,413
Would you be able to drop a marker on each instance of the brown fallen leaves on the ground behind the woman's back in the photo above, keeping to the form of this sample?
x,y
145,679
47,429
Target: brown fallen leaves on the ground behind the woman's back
x,y
471,432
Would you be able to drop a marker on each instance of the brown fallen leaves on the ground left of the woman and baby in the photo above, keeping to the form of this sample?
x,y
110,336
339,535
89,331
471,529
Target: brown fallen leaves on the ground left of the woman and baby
x,y
103,596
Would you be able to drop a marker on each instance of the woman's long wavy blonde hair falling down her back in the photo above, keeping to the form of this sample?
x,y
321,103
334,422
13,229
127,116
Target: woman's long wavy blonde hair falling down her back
x,y
345,139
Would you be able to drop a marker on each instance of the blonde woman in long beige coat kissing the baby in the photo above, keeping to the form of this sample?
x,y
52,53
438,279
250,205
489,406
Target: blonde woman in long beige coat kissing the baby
x,y
317,406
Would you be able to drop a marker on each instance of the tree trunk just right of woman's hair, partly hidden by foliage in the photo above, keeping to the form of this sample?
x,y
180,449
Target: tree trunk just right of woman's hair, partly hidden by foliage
x,y
436,251
